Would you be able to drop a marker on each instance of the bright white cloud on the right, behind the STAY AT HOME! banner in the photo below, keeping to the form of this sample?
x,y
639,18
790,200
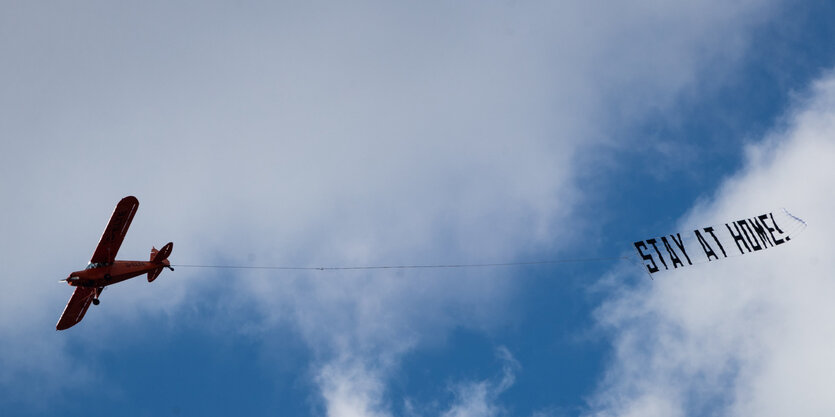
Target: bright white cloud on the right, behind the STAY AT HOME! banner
x,y
748,336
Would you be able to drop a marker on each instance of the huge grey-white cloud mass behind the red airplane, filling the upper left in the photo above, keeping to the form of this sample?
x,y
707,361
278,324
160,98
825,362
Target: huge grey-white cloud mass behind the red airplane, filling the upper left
x,y
319,135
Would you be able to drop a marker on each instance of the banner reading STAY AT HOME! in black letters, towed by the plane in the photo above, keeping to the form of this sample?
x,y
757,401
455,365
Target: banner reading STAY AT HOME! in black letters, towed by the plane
x,y
717,242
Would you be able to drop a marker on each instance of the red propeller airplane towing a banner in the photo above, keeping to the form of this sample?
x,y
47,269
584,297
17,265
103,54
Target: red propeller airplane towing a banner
x,y
104,269
